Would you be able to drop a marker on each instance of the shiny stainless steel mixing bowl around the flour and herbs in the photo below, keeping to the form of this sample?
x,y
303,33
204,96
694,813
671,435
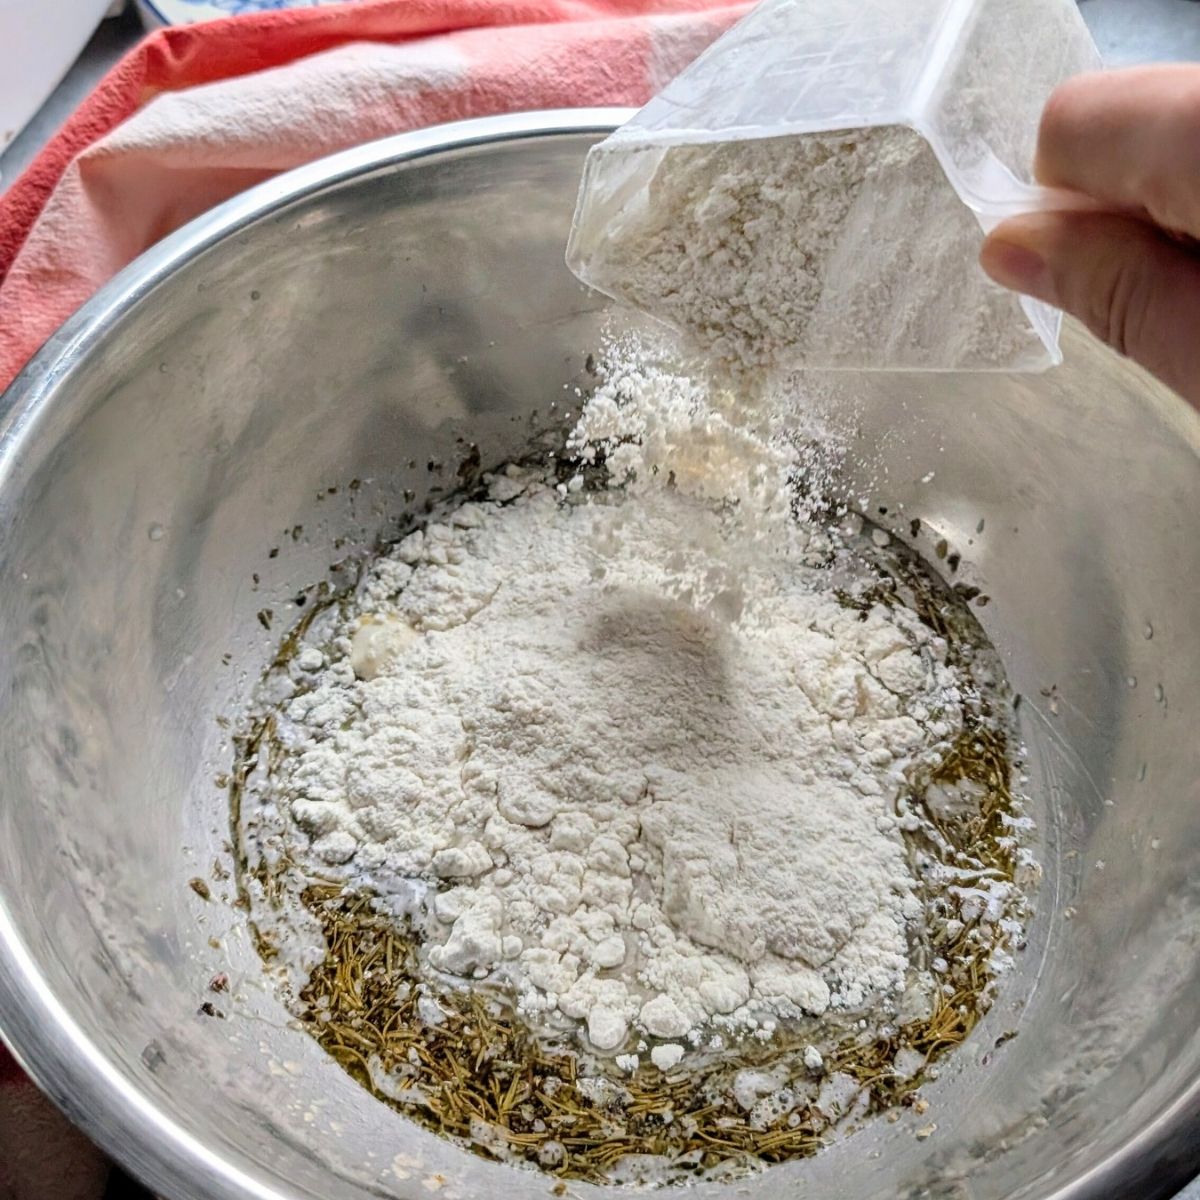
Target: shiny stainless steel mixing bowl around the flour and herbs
x,y
353,321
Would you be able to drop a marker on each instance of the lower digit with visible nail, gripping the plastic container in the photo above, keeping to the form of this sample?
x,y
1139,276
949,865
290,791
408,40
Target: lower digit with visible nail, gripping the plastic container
x,y
1129,283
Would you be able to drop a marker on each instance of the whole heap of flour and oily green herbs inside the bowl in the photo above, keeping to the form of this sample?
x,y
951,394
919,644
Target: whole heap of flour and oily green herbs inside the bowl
x,y
647,759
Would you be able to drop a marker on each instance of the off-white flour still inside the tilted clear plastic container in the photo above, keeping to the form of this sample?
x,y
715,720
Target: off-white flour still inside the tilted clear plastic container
x,y
836,250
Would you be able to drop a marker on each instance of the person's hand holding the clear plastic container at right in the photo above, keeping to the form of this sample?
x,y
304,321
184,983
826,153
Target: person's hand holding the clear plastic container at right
x,y
1131,141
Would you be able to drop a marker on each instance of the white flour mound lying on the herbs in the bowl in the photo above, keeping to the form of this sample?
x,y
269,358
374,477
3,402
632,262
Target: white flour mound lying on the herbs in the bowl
x,y
652,807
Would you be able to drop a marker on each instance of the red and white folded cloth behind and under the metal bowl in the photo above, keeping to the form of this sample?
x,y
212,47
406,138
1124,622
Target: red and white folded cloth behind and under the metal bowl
x,y
199,113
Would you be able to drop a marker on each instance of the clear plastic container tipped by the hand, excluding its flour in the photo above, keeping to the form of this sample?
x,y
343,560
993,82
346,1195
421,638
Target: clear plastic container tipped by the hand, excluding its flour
x,y
969,76
